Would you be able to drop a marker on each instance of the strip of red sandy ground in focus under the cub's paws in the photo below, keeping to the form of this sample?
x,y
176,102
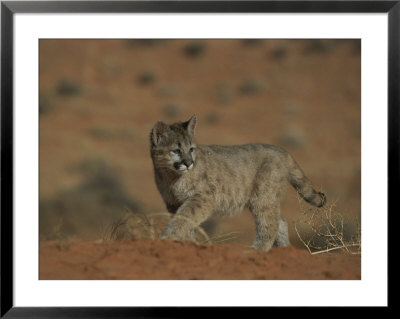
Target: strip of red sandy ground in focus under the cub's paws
x,y
156,259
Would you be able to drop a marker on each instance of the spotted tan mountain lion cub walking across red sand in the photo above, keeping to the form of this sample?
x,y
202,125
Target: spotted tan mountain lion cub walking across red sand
x,y
198,181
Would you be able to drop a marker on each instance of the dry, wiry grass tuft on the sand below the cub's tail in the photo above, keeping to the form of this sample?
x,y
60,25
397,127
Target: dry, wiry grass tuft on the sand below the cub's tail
x,y
323,230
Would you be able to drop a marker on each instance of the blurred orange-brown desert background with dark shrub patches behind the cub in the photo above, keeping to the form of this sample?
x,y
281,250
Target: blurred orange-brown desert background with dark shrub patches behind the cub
x,y
99,100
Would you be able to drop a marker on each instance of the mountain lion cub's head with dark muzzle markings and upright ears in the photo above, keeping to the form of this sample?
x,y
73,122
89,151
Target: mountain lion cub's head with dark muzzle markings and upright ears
x,y
172,146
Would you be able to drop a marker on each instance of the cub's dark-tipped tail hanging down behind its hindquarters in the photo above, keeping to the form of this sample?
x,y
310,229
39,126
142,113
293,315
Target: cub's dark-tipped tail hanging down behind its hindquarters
x,y
303,185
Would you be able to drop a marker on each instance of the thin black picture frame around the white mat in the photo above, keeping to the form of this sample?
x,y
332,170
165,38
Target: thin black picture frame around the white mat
x,y
9,8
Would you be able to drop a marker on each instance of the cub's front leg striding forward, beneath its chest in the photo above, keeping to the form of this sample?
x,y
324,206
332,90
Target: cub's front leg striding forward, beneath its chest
x,y
189,215
